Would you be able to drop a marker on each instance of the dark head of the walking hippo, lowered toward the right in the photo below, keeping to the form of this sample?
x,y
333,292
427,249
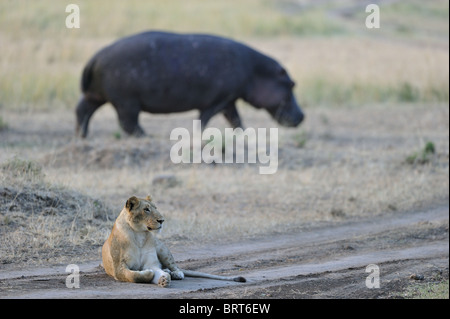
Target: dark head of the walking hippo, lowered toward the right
x,y
271,89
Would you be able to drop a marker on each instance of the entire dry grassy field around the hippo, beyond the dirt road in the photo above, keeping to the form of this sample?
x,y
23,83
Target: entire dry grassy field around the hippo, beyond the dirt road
x,y
375,100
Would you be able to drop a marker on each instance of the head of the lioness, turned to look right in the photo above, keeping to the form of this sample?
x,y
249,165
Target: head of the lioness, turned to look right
x,y
143,215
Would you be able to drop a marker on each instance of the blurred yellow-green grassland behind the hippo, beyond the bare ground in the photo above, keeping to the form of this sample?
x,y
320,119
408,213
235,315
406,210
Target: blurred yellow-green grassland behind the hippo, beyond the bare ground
x,y
325,45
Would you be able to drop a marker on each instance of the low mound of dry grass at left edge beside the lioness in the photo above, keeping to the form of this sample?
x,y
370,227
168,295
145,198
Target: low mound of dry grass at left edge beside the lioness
x,y
41,221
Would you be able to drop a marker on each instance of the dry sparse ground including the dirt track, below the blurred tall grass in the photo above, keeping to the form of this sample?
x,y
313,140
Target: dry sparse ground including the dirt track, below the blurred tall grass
x,y
320,254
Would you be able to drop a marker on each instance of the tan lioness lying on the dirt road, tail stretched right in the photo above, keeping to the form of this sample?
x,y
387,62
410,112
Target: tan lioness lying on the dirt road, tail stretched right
x,y
133,253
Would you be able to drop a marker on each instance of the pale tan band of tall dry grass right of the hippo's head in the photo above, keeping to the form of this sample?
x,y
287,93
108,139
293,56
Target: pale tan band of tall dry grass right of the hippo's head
x,y
352,71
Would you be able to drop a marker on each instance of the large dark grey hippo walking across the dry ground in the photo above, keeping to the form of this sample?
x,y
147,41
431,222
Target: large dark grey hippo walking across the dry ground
x,y
161,72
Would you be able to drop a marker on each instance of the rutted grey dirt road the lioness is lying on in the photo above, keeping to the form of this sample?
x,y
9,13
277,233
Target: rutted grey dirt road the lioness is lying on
x,y
322,262
